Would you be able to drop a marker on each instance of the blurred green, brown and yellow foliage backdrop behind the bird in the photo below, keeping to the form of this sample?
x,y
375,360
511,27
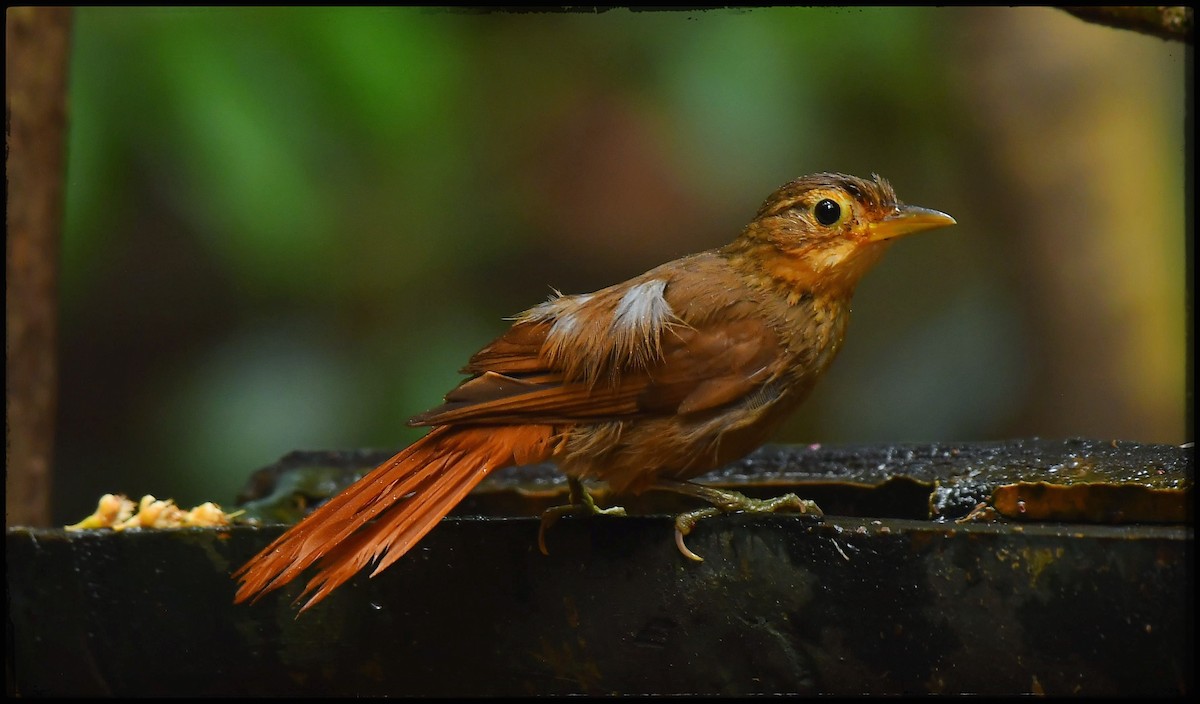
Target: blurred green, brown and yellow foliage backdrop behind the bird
x,y
289,228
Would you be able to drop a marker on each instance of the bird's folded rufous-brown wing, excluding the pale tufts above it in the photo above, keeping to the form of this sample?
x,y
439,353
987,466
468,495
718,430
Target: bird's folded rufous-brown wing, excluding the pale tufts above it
x,y
698,369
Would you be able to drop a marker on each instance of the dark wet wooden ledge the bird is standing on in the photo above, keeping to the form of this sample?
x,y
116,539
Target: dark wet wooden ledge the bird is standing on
x,y
861,603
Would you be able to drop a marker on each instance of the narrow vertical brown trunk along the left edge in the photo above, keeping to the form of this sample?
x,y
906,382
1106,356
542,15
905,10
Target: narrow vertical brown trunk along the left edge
x,y
38,41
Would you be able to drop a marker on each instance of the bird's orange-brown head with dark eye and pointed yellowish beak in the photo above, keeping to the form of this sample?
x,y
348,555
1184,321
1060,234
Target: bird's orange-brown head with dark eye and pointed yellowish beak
x,y
823,233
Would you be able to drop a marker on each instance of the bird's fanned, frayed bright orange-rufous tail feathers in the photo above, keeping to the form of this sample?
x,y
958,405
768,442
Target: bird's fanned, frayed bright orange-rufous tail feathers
x,y
406,497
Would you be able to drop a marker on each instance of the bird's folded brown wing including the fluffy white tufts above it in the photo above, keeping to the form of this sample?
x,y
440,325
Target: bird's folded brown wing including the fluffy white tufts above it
x,y
615,354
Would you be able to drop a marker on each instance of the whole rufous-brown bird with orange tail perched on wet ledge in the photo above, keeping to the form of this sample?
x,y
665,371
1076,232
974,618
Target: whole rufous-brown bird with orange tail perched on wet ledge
x,y
641,386
